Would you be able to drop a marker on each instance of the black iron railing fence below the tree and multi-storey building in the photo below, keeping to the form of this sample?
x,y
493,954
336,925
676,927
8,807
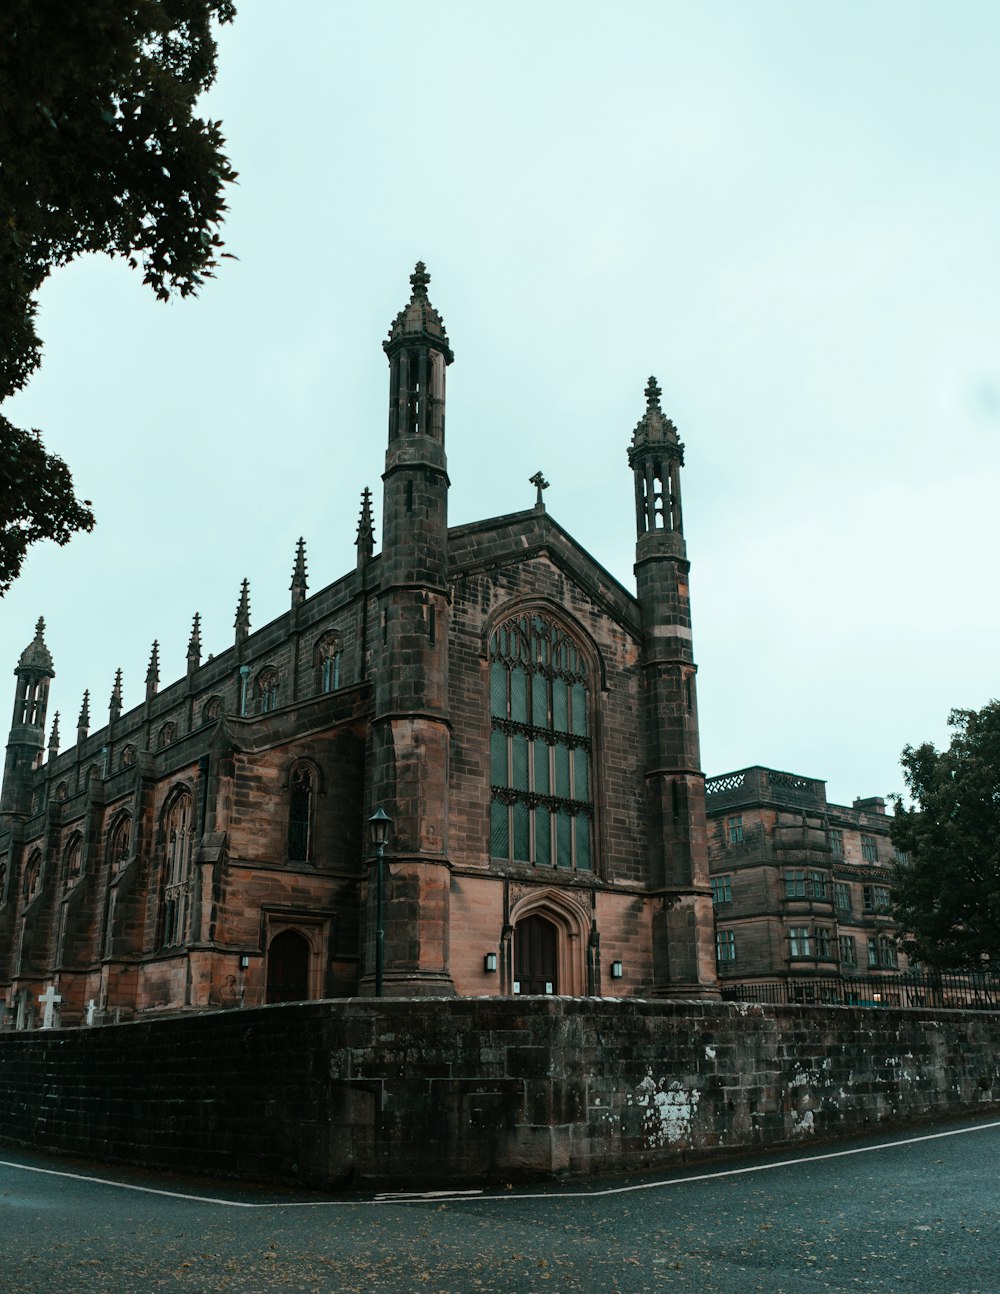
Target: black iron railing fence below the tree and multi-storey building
x,y
957,992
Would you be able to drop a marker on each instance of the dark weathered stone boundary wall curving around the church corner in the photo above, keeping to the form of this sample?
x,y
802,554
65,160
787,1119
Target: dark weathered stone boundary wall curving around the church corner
x,y
358,1093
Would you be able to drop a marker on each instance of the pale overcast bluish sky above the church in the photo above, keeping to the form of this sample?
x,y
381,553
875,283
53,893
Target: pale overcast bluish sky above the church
x,y
788,213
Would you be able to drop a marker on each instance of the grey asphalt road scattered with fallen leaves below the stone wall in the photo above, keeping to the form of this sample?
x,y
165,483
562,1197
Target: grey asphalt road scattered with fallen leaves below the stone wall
x,y
914,1212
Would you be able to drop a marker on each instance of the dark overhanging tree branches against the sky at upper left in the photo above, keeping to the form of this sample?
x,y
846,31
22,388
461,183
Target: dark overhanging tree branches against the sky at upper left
x,y
100,152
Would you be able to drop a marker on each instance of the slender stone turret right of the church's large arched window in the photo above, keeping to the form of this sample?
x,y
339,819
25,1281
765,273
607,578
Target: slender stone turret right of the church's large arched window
x,y
677,834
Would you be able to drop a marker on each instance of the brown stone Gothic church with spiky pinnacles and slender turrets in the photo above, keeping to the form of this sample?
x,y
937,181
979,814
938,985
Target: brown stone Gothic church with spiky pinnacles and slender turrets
x,y
528,725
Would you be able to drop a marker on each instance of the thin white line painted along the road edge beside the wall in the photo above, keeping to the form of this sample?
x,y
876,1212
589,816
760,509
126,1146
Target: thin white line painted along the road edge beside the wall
x,y
479,1198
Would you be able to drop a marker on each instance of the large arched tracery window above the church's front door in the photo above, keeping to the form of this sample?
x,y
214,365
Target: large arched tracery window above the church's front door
x,y
541,808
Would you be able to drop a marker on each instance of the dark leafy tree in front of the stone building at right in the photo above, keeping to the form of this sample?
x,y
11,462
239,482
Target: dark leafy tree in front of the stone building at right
x,y
948,894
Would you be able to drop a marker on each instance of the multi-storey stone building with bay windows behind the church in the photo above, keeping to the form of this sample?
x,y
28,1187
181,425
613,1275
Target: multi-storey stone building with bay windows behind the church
x,y
801,888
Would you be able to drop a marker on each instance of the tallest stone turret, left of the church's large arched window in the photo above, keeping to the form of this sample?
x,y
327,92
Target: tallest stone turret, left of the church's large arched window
x,y
412,729
